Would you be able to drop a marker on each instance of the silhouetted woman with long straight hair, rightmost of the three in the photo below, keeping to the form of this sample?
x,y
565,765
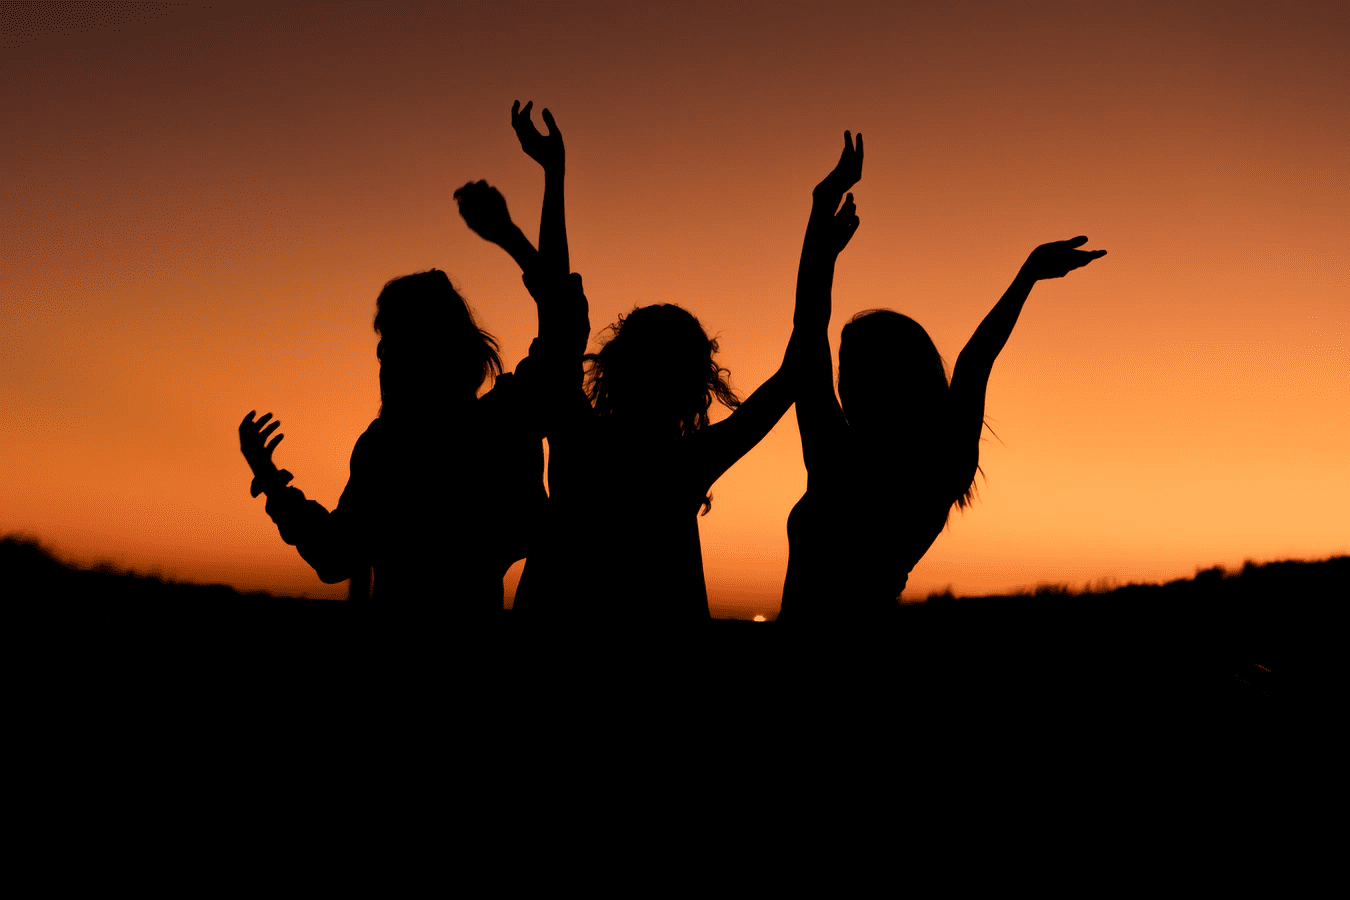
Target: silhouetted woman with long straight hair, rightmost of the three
x,y
888,458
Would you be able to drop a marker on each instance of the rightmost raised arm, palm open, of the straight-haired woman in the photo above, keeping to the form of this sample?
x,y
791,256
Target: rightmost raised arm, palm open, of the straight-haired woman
x,y
971,377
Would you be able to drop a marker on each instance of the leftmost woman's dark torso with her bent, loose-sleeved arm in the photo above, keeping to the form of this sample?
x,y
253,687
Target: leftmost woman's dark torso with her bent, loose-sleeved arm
x,y
439,505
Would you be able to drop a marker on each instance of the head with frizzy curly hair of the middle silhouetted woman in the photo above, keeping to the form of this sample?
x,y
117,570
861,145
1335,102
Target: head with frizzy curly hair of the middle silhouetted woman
x,y
658,372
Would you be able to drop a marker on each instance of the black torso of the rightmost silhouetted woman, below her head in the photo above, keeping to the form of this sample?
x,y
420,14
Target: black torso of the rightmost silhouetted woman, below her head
x,y
866,520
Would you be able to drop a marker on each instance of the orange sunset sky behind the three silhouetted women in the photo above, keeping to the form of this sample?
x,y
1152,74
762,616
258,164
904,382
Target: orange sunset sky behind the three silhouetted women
x,y
202,204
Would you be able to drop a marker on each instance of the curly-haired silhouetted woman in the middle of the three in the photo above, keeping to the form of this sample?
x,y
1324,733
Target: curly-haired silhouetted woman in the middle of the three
x,y
632,458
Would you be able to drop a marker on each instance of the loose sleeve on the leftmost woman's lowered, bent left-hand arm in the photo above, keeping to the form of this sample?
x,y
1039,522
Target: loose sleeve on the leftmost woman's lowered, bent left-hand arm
x,y
335,544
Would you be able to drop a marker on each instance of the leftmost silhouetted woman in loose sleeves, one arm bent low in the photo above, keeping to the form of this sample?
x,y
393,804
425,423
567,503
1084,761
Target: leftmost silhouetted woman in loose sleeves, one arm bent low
x,y
446,486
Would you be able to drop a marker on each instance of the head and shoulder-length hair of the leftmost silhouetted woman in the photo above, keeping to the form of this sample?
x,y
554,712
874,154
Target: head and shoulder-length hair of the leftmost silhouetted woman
x,y
430,346
